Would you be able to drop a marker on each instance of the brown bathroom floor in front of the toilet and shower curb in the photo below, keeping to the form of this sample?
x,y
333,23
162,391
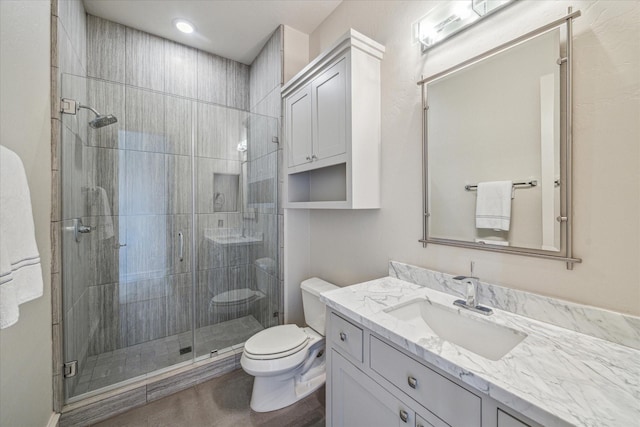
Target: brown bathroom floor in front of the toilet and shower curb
x,y
221,402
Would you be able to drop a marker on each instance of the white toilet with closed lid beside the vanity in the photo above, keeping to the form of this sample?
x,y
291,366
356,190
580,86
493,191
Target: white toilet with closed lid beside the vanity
x,y
288,362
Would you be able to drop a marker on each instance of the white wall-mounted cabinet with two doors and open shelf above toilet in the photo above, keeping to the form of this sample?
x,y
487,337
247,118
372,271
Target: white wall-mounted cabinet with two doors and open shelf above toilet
x,y
332,128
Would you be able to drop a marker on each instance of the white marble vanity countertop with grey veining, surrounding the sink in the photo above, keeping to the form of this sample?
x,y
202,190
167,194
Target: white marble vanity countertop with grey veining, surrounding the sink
x,y
555,376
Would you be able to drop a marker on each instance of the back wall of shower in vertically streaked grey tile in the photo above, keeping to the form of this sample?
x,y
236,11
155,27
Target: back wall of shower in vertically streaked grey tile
x,y
153,287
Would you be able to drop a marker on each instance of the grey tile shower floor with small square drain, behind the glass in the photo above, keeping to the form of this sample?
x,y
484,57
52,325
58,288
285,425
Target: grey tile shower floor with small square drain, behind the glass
x,y
109,368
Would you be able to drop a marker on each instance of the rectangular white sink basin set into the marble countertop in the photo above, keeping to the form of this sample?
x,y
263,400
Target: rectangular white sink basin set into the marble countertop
x,y
468,330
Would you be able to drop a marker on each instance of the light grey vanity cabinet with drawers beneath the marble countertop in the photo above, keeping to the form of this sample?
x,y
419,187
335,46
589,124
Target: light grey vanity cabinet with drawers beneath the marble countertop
x,y
371,382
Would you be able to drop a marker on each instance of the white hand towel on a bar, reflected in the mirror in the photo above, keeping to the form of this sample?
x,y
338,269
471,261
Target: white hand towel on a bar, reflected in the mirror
x,y
493,205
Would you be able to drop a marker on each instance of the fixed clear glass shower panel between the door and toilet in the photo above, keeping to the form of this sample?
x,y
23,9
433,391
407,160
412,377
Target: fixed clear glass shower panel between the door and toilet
x,y
237,289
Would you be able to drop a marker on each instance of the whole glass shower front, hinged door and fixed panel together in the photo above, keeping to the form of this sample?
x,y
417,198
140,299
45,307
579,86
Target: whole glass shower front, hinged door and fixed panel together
x,y
179,258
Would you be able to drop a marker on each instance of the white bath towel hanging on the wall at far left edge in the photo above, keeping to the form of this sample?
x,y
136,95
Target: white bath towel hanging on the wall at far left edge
x,y
17,233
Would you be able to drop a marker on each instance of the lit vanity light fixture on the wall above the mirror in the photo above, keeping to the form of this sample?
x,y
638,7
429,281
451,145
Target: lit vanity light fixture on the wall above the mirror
x,y
450,18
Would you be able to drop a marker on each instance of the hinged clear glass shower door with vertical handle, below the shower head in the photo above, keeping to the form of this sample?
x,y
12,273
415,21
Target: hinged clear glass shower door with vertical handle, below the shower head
x,y
126,234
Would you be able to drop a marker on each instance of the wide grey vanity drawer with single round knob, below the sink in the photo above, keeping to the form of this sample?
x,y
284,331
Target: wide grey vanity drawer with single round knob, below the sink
x,y
450,402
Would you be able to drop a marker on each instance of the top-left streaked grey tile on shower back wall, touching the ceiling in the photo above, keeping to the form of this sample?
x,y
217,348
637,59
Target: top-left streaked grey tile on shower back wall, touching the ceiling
x,y
105,49
